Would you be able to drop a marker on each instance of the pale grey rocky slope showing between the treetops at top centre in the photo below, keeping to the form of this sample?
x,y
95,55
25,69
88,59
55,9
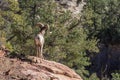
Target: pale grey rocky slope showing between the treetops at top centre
x,y
74,6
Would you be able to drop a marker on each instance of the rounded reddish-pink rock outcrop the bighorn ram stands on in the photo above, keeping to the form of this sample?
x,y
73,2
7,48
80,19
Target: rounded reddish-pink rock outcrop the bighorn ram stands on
x,y
27,69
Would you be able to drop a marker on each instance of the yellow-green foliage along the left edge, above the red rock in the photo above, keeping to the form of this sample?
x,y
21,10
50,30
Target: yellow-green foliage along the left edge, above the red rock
x,y
8,19
